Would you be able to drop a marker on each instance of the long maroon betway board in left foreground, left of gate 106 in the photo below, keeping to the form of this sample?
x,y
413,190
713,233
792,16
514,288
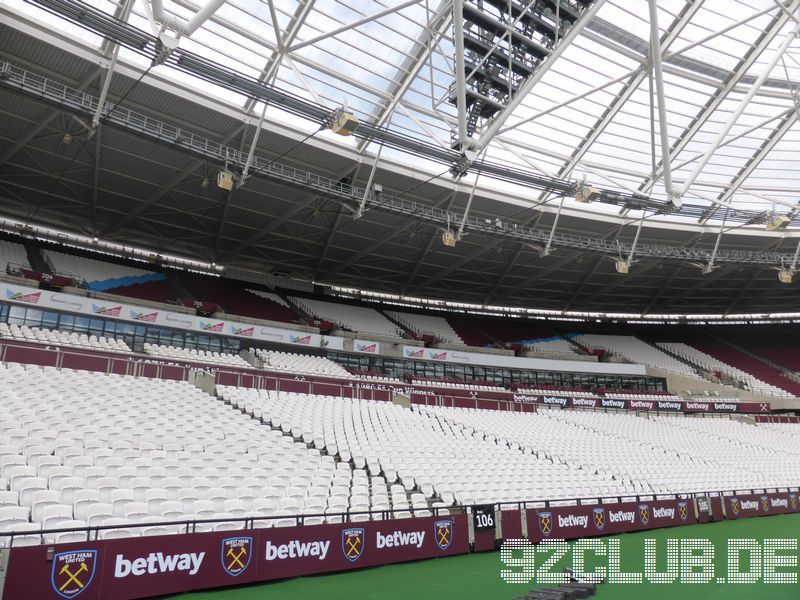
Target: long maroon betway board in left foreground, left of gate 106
x,y
153,566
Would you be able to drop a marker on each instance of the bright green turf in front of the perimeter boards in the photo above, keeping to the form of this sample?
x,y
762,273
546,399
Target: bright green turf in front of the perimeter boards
x,y
477,576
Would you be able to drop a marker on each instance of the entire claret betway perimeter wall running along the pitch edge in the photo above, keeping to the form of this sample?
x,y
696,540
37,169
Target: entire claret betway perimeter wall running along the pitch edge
x,y
151,566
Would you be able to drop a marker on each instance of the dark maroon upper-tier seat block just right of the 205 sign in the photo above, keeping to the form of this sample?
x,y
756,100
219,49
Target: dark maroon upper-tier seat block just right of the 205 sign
x,y
236,300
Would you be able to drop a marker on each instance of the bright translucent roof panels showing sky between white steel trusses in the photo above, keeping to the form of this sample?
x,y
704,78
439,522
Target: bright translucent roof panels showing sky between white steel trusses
x,y
588,117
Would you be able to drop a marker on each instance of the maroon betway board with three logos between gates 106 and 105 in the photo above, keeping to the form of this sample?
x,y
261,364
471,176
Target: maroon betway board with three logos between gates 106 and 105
x,y
572,522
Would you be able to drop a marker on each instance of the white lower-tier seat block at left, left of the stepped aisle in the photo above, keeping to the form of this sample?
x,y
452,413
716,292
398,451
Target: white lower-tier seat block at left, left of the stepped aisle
x,y
116,450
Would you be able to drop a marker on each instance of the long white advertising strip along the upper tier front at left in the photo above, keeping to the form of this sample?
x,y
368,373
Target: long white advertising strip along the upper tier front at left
x,y
93,307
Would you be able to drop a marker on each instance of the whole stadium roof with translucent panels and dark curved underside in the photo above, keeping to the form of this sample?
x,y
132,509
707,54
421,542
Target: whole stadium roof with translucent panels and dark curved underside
x,y
591,116
